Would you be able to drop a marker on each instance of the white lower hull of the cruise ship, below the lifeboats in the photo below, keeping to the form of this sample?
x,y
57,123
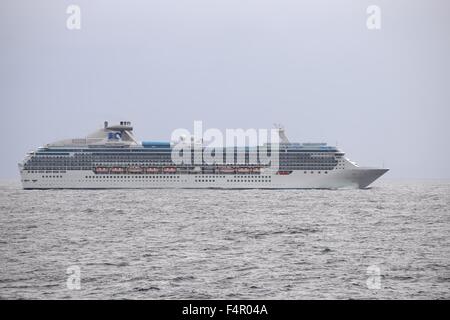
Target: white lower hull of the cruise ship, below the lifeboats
x,y
355,177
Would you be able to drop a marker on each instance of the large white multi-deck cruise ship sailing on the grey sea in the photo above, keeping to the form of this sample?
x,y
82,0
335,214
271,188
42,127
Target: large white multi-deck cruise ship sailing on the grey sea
x,y
112,157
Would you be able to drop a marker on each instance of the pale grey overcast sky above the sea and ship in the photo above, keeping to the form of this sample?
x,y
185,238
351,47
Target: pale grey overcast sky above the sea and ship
x,y
313,66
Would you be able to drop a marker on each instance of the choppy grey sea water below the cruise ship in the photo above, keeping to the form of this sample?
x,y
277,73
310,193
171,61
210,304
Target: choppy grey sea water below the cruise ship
x,y
212,244
